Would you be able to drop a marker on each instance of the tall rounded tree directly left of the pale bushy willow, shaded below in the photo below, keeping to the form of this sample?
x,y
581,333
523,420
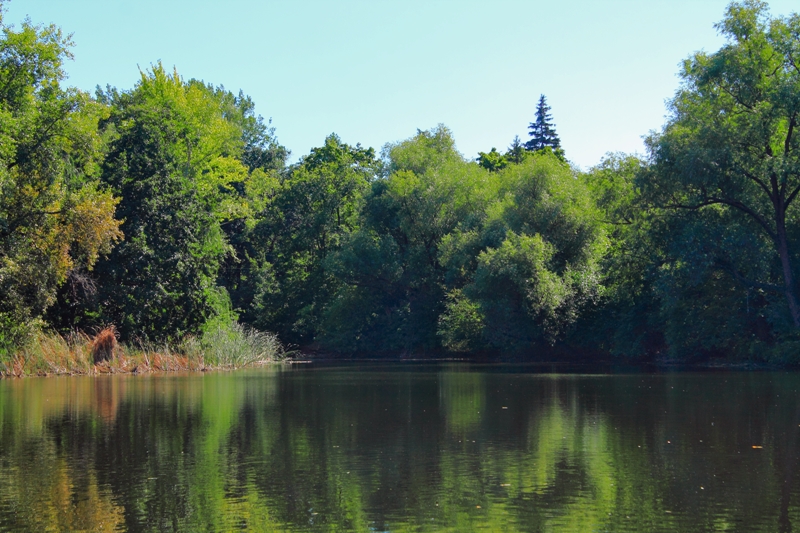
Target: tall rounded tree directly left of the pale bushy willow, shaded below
x,y
392,281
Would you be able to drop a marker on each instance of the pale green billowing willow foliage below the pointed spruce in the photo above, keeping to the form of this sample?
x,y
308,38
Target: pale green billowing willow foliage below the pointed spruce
x,y
530,268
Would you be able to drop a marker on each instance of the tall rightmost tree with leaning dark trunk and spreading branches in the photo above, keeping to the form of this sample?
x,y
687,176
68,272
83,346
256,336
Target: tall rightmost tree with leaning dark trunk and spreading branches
x,y
729,157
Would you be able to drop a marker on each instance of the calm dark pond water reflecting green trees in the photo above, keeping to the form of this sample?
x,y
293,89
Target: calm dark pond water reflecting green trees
x,y
402,448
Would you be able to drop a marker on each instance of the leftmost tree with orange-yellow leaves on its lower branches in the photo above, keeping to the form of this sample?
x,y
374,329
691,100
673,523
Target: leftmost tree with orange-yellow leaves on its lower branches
x,y
55,216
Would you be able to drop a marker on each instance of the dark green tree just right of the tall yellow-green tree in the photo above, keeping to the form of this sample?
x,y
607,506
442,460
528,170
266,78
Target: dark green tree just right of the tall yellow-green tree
x,y
311,212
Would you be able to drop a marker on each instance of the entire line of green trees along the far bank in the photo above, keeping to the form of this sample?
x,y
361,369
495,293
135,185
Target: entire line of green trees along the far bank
x,y
171,208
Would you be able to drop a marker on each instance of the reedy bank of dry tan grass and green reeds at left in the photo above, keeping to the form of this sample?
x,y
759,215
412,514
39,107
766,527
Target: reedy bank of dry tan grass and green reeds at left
x,y
49,353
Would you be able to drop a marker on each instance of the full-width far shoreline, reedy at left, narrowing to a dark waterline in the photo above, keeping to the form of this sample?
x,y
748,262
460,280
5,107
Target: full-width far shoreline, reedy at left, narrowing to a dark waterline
x,y
80,355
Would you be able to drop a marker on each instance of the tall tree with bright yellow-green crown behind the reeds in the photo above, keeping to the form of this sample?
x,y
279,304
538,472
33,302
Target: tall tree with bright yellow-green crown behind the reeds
x,y
174,159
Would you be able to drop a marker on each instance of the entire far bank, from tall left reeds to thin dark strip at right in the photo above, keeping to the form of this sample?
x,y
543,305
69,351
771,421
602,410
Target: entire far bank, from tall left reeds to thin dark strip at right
x,y
236,347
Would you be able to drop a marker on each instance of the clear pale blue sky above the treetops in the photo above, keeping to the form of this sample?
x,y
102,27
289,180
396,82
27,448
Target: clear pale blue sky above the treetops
x,y
374,71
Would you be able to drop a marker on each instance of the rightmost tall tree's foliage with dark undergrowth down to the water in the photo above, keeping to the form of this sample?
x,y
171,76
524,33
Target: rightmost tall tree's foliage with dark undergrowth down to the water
x,y
726,171
